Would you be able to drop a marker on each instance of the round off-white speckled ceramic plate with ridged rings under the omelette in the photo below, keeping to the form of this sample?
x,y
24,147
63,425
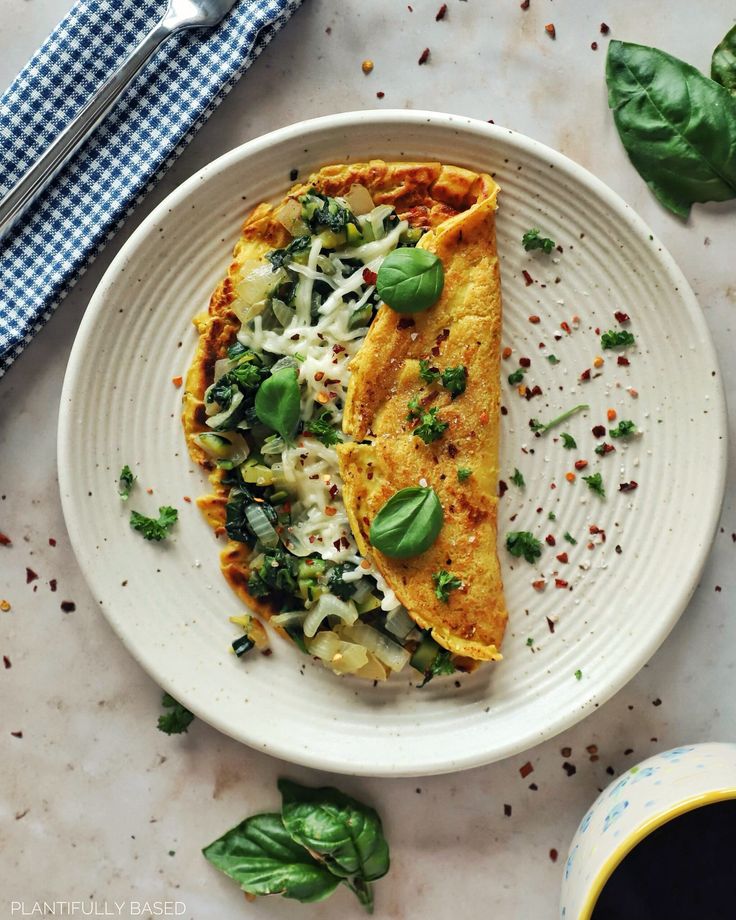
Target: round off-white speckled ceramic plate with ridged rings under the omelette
x,y
169,603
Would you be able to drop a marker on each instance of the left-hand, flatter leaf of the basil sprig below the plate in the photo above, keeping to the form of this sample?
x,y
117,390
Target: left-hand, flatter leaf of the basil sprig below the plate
x,y
263,859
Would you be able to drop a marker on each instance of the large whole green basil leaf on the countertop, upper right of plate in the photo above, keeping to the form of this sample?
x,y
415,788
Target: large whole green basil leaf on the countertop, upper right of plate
x,y
677,126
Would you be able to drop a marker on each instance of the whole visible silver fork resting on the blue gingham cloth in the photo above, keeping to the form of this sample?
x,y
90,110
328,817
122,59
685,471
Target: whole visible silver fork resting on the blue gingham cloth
x,y
180,14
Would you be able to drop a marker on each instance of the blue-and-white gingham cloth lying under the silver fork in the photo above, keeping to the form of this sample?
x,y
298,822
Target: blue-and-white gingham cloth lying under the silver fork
x,y
151,124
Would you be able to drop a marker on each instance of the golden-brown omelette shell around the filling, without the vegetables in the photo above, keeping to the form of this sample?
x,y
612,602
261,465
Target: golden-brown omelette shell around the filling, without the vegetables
x,y
463,327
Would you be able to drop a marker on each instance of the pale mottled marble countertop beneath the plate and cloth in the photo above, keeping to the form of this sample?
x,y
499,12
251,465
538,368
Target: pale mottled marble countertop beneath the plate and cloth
x,y
97,804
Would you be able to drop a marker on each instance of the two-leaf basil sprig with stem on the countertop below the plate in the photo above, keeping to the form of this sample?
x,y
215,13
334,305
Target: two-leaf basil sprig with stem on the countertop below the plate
x,y
322,838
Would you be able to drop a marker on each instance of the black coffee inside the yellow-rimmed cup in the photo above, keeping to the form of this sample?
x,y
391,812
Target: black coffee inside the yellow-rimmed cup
x,y
685,870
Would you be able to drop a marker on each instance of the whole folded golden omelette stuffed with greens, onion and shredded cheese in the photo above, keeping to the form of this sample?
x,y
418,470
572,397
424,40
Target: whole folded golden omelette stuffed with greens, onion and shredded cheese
x,y
312,404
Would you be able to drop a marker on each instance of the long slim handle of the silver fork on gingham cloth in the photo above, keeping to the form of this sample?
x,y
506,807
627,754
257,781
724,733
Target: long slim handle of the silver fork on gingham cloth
x,y
30,186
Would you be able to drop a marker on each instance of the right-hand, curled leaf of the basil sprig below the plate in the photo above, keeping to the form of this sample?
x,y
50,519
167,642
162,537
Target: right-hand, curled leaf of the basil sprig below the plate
x,y
346,834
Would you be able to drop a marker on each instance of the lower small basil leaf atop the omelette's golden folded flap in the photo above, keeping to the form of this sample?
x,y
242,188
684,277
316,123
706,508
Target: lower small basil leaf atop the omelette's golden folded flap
x,y
408,524
